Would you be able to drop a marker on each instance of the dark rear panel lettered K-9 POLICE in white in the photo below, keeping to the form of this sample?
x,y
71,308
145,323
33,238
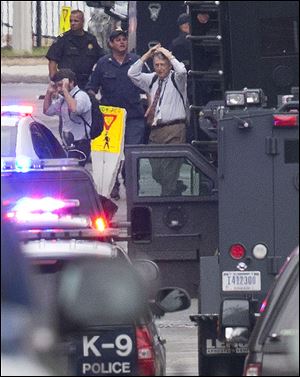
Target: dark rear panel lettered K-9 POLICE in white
x,y
110,352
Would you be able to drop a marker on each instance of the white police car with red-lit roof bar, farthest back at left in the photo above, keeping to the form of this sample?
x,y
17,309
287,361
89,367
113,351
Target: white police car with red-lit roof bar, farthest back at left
x,y
22,135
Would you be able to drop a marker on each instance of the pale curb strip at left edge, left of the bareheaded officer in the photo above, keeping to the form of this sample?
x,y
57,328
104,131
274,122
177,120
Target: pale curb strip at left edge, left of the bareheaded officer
x,y
24,70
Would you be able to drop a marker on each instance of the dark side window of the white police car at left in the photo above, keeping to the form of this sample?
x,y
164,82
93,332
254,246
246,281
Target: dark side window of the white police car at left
x,y
44,143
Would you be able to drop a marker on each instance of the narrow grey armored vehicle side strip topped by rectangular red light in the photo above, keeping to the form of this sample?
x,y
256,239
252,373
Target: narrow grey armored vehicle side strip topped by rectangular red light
x,y
286,183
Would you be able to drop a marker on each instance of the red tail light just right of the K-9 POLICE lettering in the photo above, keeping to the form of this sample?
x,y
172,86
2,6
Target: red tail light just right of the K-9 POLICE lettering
x,y
146,358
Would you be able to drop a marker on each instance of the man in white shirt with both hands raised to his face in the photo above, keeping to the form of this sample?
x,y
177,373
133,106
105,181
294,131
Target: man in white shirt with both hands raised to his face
x,y
64,98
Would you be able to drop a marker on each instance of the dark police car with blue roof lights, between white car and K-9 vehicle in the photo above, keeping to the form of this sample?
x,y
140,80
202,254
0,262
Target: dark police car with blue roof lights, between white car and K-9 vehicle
x,y
59,179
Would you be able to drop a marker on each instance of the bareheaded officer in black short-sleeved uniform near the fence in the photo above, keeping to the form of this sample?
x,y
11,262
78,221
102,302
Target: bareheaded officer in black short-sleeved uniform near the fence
x,y
75,49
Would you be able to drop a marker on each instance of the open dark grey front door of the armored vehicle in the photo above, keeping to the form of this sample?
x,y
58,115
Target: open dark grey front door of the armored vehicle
x,y
173,229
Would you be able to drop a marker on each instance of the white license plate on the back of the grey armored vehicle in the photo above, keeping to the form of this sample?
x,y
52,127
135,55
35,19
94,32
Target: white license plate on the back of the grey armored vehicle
x,y
241,281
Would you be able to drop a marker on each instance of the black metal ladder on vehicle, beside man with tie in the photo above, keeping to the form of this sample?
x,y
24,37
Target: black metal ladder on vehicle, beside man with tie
x,y
206,75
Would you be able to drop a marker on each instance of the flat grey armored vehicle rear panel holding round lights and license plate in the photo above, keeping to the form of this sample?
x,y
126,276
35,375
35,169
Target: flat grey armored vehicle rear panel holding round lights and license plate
x,y
246,201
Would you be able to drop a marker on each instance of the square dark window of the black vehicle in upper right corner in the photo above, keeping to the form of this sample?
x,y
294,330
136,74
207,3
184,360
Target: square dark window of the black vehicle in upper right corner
x,y
278,36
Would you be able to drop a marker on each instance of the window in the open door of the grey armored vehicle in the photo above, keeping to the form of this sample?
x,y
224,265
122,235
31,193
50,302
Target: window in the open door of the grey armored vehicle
x,y
172,177
